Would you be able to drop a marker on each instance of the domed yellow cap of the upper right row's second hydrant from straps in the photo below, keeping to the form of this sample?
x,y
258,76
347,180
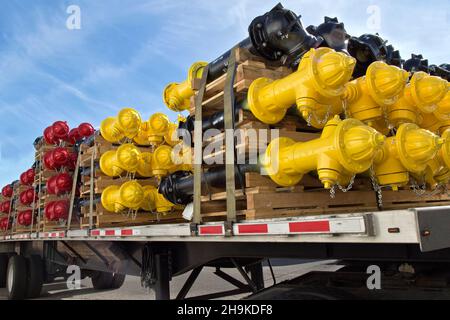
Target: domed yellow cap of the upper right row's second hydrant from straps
x,y
385,82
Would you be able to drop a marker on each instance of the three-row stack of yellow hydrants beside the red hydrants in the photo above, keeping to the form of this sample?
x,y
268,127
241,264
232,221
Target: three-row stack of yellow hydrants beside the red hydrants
x,y
146,151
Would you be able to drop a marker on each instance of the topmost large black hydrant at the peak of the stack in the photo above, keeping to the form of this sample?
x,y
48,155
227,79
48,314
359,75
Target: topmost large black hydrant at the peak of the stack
x,y
278,36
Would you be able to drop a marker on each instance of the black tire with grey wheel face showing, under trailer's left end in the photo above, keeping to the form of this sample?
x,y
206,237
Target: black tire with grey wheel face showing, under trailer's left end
x,y
16,283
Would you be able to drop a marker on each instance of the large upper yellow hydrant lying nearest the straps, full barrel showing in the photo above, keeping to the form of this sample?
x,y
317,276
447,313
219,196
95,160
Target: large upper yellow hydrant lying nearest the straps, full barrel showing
x,y
315,88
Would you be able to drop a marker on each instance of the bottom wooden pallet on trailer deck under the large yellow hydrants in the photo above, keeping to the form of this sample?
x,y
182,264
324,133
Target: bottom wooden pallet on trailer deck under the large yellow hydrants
x,y
264,200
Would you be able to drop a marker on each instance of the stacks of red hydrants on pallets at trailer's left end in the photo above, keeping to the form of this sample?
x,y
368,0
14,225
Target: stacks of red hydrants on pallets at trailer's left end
x,y
46,186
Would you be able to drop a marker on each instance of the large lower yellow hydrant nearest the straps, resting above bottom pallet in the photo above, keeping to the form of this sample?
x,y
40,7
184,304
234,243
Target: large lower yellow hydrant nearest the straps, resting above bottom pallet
x,y
345,148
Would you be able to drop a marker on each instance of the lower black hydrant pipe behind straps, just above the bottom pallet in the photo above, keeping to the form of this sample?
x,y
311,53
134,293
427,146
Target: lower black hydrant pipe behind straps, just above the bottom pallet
x,y
178,188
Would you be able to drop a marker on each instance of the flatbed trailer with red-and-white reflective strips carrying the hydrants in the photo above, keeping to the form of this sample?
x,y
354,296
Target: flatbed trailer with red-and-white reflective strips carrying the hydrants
x,y
419,238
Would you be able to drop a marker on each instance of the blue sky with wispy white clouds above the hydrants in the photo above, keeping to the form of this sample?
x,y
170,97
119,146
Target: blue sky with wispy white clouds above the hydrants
x,y
128,50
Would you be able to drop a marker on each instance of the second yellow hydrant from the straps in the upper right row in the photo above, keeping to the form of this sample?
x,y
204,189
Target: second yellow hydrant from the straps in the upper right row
x,y
366,96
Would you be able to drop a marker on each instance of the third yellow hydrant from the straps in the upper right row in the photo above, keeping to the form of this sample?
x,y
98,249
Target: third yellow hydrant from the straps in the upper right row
x,y
421,95
